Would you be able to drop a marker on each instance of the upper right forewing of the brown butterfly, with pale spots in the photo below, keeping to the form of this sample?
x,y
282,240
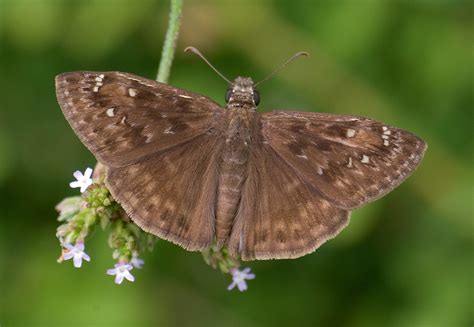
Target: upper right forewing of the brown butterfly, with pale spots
x,y
348,160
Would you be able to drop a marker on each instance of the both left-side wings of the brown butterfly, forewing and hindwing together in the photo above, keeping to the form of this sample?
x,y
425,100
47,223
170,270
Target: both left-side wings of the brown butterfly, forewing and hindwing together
x,y
160,143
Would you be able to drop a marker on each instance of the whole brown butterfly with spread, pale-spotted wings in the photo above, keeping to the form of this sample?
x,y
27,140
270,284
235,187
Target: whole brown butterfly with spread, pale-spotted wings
x,y
268,185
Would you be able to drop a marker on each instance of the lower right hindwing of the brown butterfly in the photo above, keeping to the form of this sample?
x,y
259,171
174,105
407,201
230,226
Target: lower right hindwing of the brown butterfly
x,y
280,216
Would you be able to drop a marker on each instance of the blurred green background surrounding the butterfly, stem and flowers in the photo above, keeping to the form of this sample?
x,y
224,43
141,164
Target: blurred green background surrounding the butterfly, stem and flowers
x,y
405,260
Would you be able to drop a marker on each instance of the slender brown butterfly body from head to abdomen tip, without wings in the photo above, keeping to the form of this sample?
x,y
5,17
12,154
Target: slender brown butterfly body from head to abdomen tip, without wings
x,y
240,121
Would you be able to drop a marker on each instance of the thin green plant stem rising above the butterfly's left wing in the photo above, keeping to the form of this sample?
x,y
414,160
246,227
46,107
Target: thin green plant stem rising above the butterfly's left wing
x,y
171,38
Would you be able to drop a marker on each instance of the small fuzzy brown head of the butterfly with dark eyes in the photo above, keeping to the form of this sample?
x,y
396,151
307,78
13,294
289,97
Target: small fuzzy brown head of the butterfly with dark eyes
x,y
242,91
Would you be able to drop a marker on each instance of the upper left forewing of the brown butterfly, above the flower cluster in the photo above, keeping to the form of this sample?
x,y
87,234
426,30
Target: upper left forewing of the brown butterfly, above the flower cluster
x,y
122,118
